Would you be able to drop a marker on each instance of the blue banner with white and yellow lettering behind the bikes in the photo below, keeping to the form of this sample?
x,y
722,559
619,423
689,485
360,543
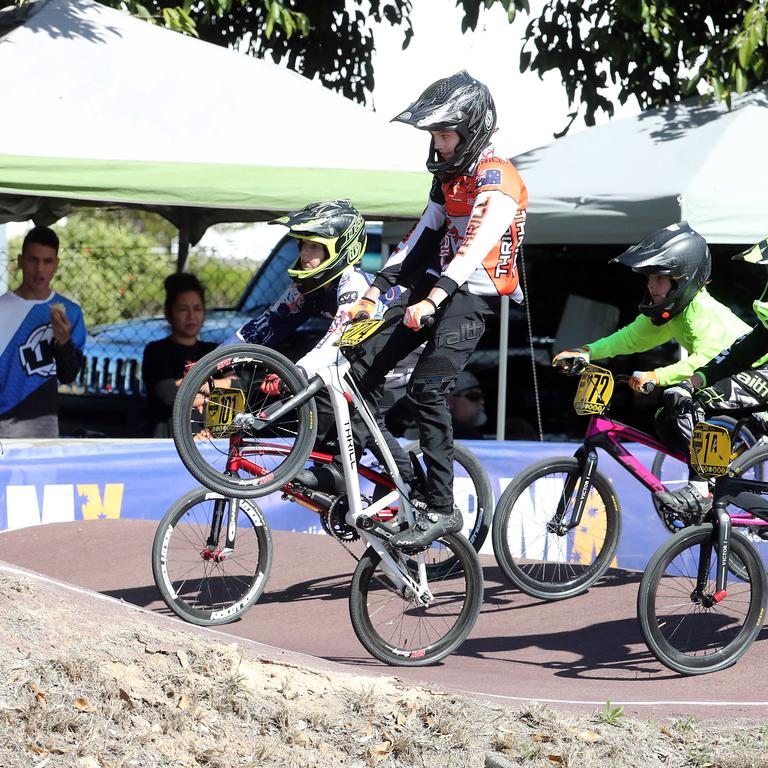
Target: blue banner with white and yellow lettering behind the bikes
x,y
58,481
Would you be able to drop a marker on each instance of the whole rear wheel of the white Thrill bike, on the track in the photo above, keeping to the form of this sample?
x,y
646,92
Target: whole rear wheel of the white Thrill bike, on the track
x,y
397,630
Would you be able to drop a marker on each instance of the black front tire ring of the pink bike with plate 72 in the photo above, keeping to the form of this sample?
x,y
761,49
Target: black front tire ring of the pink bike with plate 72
x,y
554,590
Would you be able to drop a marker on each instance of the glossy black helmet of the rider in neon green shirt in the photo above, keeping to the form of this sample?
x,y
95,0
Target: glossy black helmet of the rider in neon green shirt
x,y
678,252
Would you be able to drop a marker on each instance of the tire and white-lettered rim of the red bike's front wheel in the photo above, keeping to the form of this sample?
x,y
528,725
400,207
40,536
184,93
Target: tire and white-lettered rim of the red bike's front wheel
x,y
159,547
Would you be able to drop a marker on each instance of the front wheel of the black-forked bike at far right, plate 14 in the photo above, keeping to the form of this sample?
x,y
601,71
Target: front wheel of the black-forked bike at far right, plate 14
x,y
684,627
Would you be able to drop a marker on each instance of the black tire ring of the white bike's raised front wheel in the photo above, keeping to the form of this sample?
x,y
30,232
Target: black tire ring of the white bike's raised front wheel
x,y
250,487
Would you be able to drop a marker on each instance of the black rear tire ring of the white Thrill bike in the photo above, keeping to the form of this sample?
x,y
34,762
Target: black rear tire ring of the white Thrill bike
x,y
419,657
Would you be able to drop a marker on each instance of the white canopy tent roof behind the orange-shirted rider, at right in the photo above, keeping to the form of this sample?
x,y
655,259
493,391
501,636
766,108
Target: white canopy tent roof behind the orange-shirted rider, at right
x,y
618,182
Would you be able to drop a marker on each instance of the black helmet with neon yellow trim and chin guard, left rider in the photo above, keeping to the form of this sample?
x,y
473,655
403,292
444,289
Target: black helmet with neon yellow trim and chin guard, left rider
x,y
339,227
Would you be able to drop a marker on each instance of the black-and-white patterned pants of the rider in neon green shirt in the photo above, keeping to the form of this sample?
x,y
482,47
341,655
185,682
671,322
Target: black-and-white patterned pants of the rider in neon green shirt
x,y
745,389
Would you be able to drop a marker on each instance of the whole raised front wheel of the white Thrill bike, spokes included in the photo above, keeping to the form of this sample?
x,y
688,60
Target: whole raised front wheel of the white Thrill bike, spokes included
x,y
219,424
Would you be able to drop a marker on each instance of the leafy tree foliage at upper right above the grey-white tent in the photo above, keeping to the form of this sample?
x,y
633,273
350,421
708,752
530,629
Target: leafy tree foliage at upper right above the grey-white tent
x,y
657,51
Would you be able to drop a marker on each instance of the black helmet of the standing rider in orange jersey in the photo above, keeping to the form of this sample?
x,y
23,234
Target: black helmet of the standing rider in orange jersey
x,y
456,103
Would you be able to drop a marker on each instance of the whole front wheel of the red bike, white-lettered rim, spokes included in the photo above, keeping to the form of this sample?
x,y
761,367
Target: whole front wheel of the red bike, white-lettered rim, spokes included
x,y
199,578
